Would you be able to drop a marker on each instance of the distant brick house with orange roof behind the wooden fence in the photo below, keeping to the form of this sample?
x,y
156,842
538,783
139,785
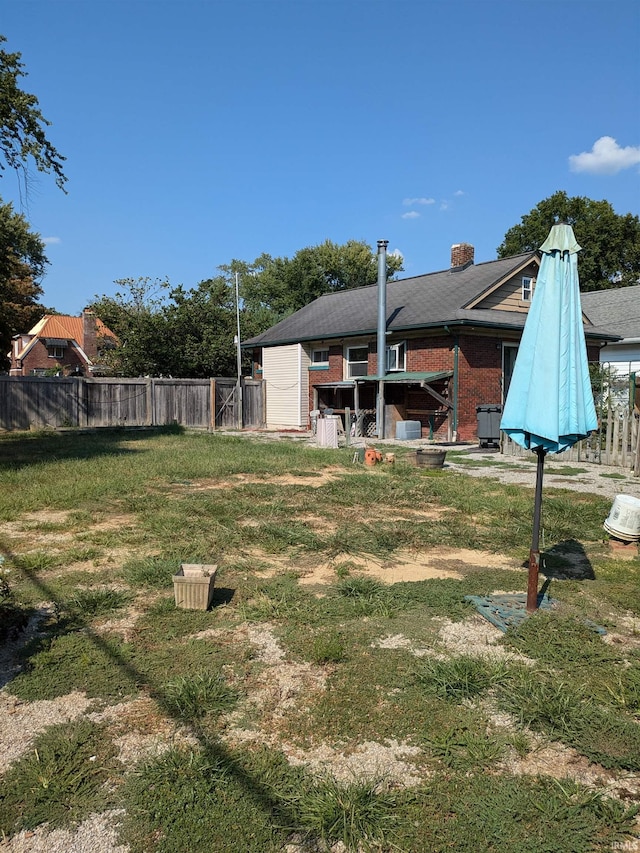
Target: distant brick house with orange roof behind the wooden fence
x,y
59,343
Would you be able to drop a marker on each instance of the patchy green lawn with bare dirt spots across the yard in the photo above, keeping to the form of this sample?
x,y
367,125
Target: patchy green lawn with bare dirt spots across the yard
x,y
340,693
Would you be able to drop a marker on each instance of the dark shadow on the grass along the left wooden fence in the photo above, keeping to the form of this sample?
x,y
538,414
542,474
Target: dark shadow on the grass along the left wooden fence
x,y
23,449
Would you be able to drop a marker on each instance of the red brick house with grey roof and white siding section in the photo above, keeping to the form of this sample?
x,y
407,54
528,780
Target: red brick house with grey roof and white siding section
x,y
452,337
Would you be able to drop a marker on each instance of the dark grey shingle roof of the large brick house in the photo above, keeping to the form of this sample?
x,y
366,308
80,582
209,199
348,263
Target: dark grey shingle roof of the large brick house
x,y
427,301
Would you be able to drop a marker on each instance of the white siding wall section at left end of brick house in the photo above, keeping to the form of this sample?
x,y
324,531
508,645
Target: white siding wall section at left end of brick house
x,y
285,371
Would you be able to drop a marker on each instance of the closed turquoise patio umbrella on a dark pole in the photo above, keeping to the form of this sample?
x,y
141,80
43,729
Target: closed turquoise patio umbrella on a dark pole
x,y
549,406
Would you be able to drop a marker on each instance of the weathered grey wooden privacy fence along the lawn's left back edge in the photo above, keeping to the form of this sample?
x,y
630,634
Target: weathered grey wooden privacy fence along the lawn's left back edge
x,y
33,402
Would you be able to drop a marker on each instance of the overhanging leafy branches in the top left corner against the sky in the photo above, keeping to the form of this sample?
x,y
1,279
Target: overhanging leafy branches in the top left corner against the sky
x,y
22,126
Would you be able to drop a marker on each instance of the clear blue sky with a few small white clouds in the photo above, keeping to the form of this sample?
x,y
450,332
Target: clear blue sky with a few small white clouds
x,y
198,131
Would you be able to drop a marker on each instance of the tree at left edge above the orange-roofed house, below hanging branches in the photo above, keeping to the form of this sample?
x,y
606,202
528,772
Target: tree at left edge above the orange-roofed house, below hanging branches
x,y
22,262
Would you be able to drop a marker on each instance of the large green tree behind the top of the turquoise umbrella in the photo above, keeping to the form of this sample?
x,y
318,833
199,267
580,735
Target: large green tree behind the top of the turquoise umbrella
x,y
610,255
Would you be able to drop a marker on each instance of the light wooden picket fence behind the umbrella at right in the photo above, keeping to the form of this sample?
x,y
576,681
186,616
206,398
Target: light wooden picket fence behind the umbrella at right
x,y
617,442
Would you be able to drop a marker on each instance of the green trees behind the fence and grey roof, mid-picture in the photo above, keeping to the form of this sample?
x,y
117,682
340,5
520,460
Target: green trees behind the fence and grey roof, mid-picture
x,y
190,333
